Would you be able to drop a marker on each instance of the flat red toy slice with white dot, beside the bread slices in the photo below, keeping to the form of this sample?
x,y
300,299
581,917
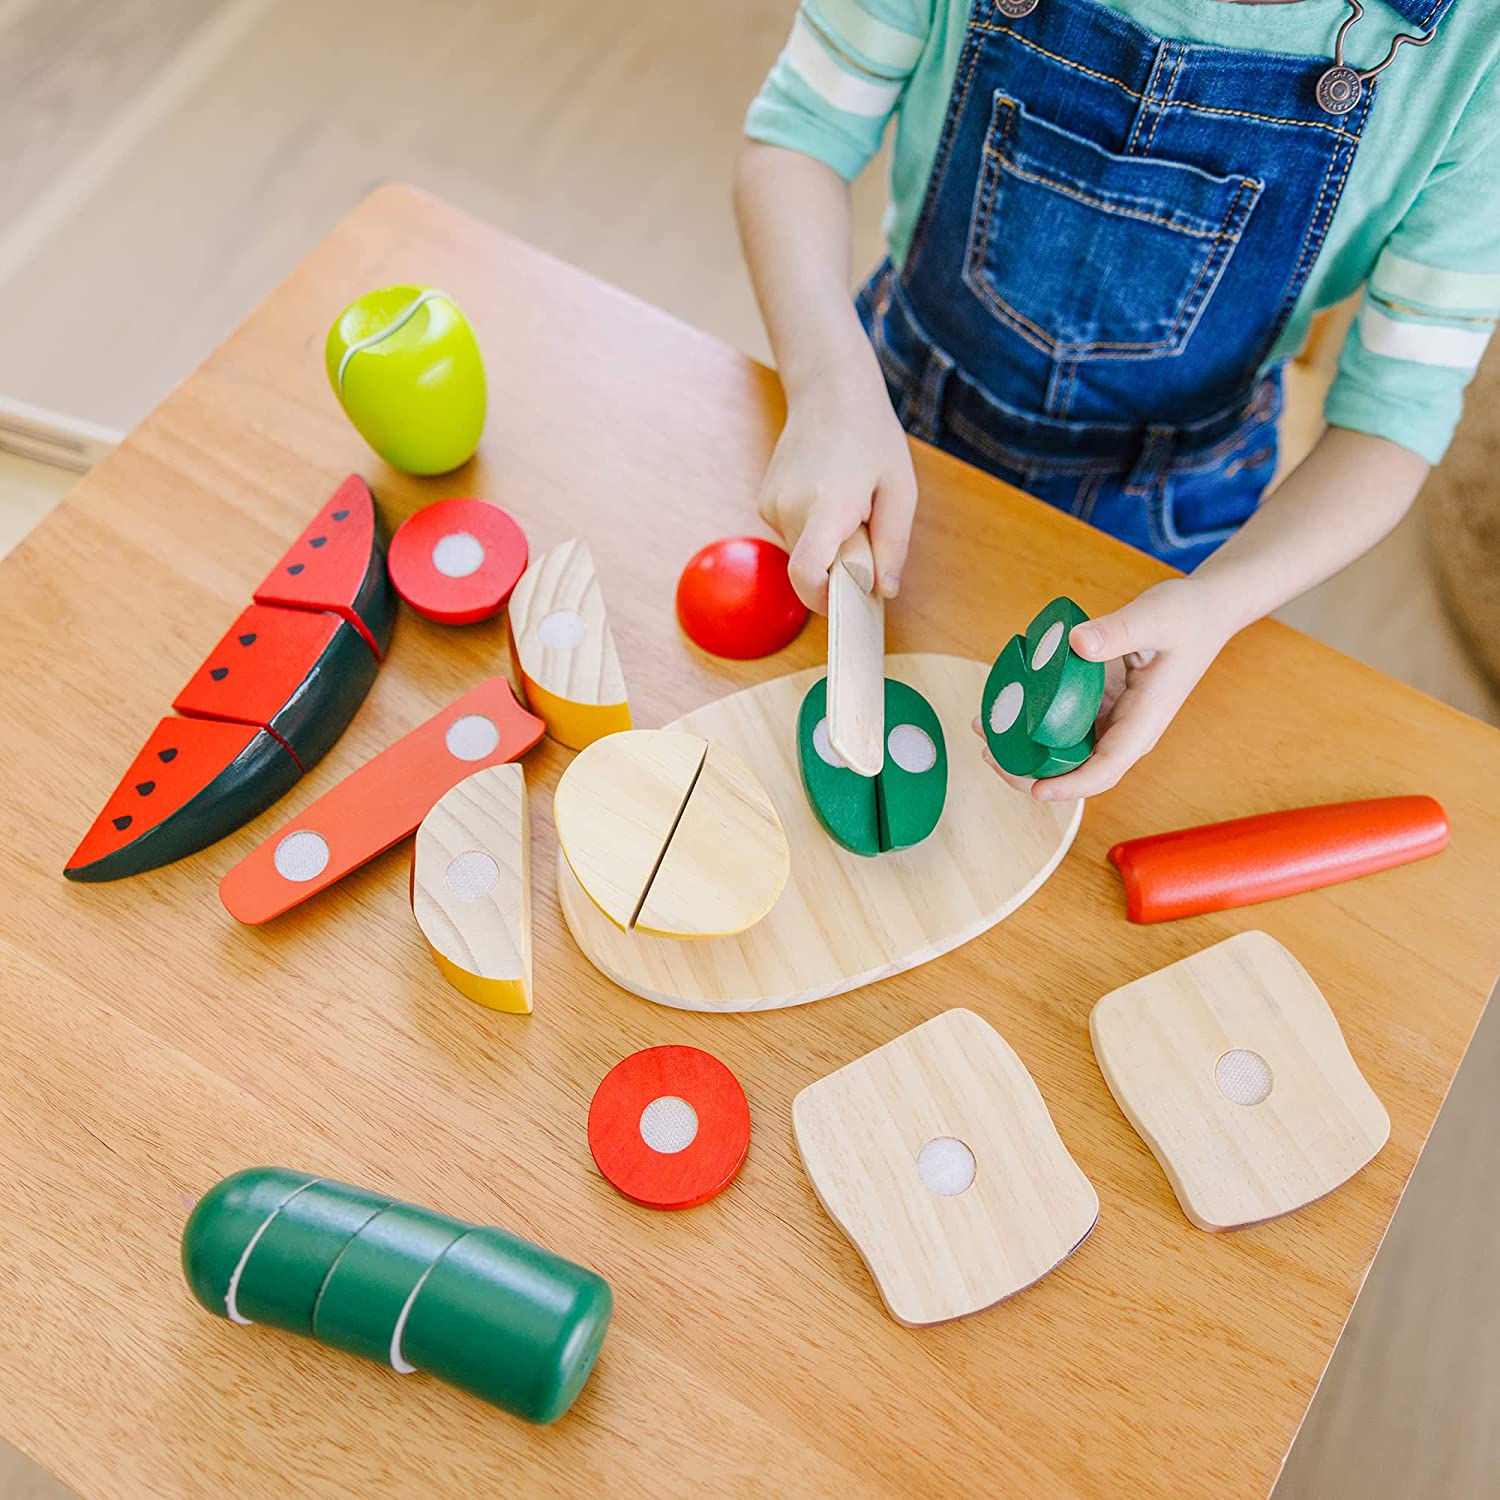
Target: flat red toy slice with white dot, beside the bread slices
x,y
670,1127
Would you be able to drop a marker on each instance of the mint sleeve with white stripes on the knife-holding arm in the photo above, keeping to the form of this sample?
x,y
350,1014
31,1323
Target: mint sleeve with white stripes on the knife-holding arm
x,y
841,79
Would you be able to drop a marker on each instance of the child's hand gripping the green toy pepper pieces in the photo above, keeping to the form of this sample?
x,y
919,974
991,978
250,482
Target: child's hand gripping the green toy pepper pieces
x,y
1156,649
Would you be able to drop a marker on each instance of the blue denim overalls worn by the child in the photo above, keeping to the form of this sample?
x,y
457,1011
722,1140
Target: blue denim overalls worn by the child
x,y
1115,233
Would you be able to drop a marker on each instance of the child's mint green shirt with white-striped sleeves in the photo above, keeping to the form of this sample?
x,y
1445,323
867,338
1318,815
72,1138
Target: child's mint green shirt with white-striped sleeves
x,y
1418,224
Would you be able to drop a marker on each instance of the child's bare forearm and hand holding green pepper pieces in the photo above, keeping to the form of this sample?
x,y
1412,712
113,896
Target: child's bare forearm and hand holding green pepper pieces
x,y
1337,505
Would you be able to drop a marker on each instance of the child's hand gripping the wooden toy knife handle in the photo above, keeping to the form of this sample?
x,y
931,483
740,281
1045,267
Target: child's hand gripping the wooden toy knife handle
x,y
842,461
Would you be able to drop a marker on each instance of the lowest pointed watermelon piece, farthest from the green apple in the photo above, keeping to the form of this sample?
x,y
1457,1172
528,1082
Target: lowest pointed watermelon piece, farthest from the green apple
x,y
194,782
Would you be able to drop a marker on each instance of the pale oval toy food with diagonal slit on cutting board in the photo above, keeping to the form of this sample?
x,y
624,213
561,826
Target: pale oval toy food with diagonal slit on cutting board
x,y
671,835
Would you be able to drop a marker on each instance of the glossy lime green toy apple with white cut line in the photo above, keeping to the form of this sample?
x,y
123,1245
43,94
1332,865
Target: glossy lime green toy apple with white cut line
x,y
406,367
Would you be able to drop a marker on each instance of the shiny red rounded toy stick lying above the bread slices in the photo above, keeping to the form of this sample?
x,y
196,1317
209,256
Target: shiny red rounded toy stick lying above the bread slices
x,y
1216,866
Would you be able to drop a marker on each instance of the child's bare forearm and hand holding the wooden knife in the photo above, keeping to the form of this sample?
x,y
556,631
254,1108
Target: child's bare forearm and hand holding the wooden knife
x,y
842,458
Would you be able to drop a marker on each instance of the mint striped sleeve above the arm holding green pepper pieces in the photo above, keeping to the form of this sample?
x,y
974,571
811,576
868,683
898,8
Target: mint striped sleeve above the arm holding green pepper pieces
x,y
1432,302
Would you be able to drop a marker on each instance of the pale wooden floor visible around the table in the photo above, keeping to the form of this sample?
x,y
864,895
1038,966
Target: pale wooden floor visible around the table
x,y
164,163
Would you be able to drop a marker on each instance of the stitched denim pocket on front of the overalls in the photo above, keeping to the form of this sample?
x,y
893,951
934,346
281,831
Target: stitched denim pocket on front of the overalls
x,y
1093,256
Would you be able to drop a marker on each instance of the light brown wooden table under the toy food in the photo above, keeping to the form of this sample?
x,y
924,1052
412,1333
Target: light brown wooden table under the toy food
x,y
151,1046
